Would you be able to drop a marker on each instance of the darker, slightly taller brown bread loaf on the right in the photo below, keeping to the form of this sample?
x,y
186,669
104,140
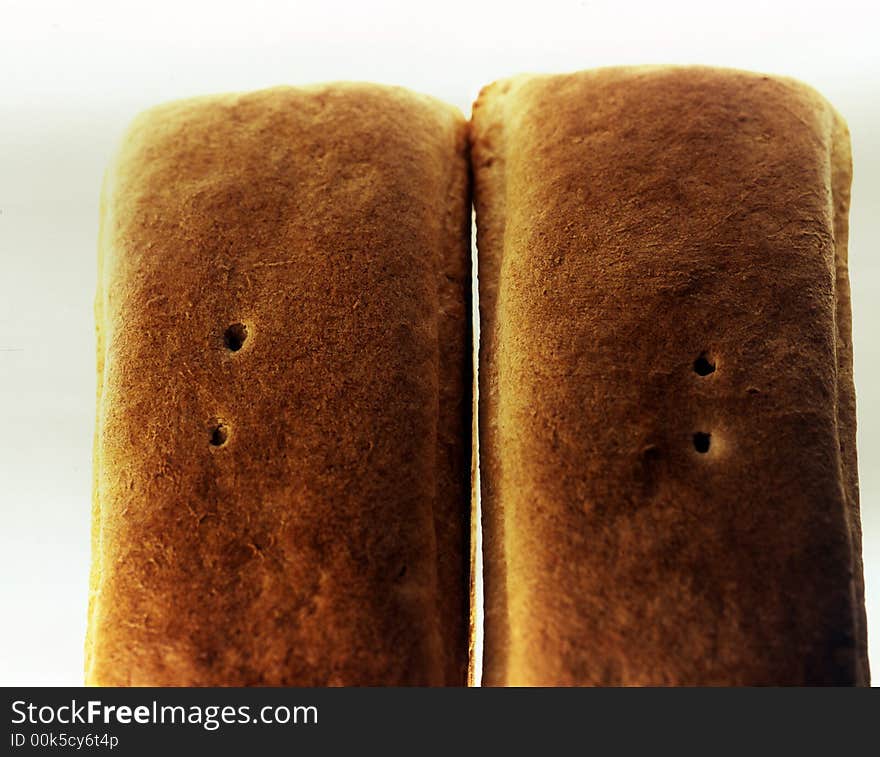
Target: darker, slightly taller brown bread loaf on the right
x,y
667,413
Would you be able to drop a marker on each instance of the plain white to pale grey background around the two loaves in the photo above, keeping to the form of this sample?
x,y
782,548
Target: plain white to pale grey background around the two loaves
x,y
72,75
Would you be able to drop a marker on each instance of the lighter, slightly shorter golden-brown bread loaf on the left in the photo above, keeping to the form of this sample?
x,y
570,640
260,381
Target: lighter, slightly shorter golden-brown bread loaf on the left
x,y
282,445
